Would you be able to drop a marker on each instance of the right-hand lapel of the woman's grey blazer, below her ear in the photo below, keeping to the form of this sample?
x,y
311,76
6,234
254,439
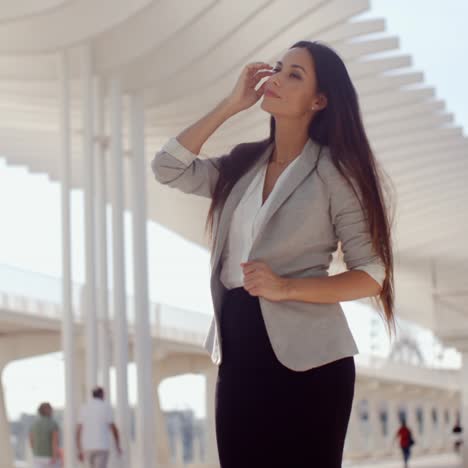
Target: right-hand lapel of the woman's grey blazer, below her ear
x,y
301,169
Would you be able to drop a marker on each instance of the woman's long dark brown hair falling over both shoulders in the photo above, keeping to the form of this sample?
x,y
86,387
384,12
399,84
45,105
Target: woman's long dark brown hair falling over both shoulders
x,y
338,126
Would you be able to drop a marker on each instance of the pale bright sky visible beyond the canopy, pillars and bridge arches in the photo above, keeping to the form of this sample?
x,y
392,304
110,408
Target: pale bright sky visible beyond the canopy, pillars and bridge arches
x,y
433,32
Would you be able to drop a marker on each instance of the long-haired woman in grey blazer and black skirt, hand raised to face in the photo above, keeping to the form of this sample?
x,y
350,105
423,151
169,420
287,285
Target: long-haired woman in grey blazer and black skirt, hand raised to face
x,y
278,209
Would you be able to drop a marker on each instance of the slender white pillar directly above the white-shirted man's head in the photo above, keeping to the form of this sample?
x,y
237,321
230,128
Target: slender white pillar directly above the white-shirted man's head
x,y
88,181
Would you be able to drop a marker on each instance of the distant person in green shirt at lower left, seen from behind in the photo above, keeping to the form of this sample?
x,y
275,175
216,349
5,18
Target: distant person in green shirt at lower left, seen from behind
x,y
44,438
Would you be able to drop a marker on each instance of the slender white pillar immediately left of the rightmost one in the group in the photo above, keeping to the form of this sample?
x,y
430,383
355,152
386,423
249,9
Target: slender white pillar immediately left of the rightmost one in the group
x,y
119,294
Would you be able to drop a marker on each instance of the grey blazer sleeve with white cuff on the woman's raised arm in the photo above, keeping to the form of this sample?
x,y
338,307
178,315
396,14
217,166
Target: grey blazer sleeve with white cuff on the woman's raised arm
x,y
176,166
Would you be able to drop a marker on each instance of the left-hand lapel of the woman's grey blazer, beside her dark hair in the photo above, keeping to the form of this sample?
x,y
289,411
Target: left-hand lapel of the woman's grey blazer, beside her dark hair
x,y
230,205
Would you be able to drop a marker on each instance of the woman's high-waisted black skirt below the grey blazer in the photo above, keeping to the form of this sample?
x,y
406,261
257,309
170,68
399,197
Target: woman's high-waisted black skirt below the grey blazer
x,y
268,415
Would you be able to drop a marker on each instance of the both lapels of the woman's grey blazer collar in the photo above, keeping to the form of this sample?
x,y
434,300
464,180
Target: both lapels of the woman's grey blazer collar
x,y
298,173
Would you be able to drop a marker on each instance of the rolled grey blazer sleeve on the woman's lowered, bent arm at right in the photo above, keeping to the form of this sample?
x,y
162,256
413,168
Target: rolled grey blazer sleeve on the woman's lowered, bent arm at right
x,y
351,229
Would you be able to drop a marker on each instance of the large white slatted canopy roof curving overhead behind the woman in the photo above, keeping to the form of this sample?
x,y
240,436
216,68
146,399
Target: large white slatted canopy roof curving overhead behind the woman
x,y
186,56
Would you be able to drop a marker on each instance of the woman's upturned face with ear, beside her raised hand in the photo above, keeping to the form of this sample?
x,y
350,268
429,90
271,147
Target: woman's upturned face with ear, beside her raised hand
x,y
294,82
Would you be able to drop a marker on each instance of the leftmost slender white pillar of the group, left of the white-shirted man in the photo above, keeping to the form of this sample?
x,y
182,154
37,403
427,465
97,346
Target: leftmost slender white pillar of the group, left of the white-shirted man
x,y
68,336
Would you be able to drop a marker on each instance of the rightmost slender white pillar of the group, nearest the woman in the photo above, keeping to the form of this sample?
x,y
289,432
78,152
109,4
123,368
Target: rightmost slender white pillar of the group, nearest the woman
x,y
143,347
